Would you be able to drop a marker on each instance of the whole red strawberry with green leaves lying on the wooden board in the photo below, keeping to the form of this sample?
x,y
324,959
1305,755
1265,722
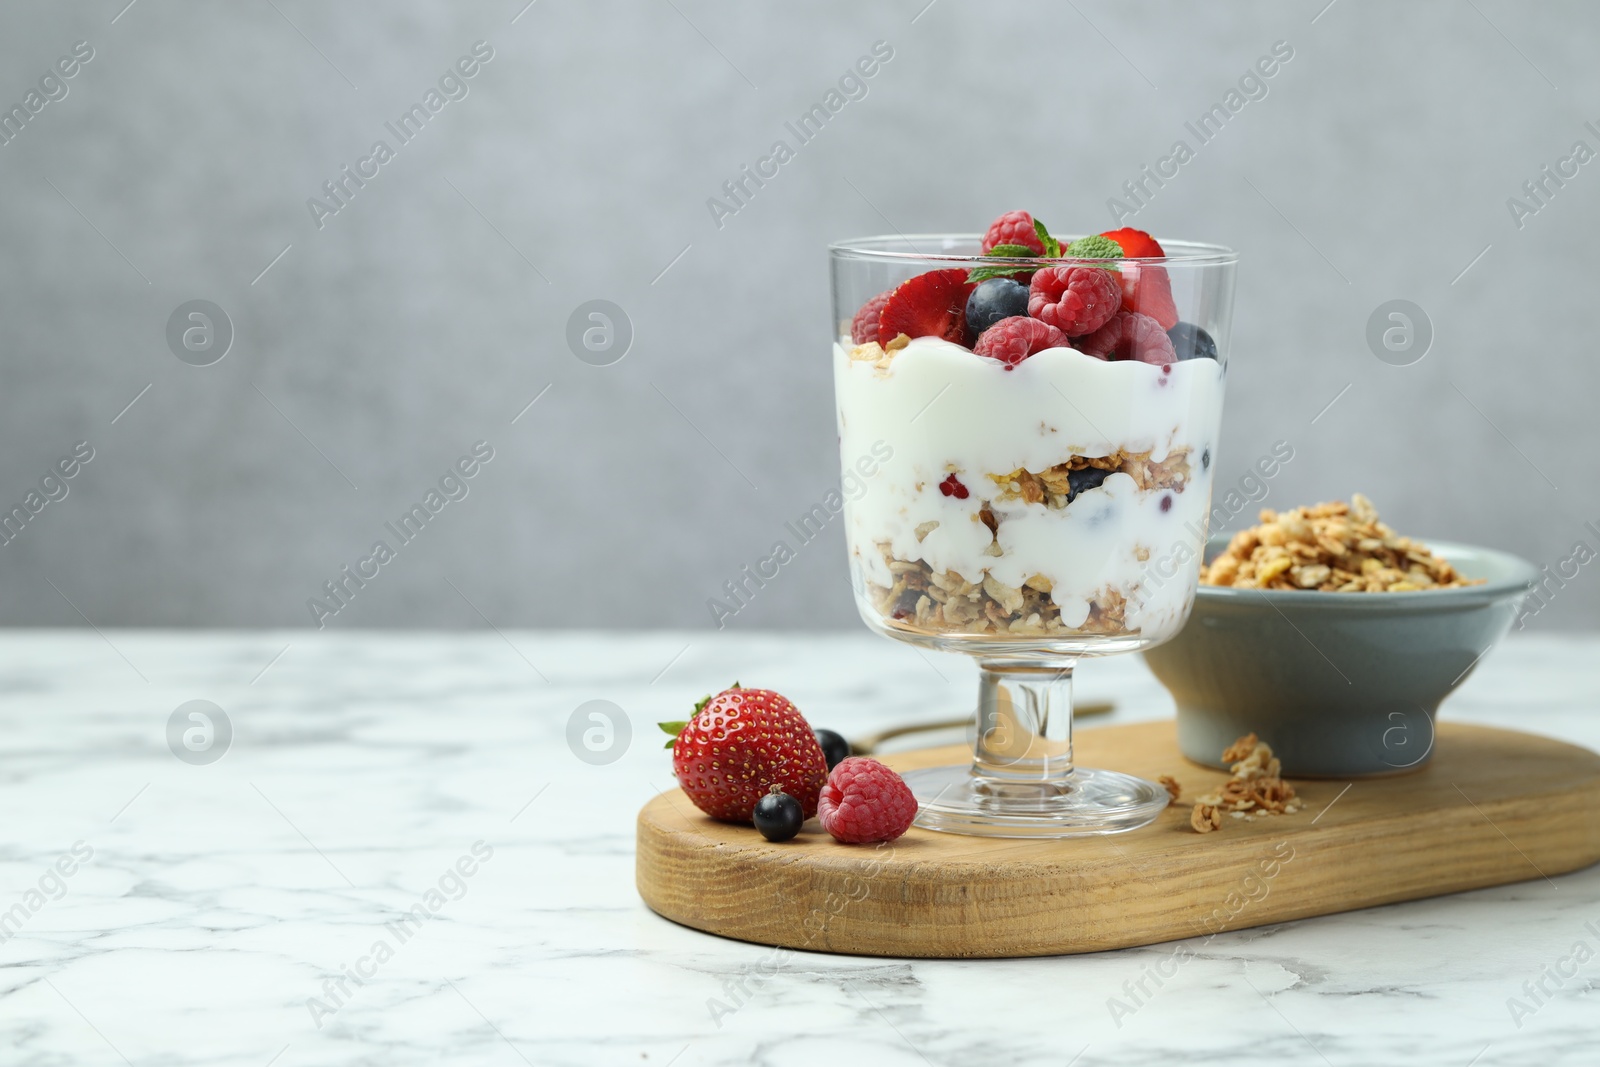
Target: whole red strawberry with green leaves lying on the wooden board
x,y
738,745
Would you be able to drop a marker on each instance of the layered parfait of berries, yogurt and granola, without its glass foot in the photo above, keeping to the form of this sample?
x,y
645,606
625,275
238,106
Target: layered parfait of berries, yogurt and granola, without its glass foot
x,y
1050,426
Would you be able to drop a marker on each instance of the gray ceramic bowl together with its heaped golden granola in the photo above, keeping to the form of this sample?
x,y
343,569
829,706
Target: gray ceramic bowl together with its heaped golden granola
x,y
1345,685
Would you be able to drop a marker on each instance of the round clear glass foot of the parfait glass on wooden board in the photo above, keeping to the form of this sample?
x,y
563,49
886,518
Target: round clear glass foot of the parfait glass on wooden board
x,y
1087,802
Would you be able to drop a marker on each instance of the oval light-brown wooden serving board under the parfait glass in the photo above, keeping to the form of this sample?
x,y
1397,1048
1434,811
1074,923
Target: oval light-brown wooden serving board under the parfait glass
x,y
1492,807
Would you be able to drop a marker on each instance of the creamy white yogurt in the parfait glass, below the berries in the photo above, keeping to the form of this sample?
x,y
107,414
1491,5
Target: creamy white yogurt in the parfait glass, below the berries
x,y
946,410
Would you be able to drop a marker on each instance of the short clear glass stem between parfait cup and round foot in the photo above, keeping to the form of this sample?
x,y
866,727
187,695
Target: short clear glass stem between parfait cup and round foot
x,y
1025,722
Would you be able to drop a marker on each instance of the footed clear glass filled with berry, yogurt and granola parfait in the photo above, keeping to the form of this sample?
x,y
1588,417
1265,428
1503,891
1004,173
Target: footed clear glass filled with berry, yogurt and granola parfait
x,y
1026,434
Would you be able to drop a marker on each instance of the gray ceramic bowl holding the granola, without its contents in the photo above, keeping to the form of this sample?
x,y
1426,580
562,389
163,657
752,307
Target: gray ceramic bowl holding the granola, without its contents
x,y
1342,685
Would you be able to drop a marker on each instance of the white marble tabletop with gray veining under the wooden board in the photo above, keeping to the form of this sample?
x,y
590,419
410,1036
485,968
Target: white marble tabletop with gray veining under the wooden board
x,y
220,900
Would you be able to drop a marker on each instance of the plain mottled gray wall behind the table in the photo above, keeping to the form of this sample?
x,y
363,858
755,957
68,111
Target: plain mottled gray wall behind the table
x,y
430,311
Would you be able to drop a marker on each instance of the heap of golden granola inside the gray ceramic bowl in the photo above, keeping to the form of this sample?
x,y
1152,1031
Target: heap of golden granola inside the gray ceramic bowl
x,y
1330,548
